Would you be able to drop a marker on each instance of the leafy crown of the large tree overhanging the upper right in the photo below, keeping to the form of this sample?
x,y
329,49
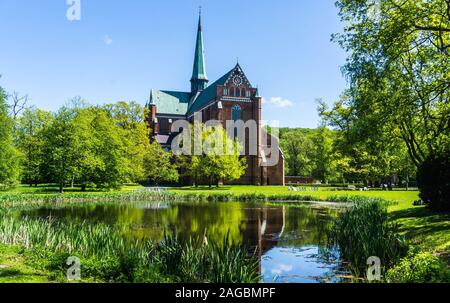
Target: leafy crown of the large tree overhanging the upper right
x,y
398,70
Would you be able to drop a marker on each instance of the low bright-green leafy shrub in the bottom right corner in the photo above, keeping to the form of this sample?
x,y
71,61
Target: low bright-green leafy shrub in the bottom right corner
x,y
419,268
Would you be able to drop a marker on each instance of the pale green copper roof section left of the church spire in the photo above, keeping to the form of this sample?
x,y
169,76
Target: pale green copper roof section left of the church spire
x,y
170,102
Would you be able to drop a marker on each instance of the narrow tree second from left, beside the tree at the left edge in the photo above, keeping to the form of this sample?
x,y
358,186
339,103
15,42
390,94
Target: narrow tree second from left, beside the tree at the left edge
x,y
31,127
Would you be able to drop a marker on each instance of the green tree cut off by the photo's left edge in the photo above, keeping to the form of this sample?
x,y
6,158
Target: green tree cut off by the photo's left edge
x,y
9,156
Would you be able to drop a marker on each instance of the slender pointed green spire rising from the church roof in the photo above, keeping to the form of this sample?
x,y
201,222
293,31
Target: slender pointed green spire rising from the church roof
x,y
199,80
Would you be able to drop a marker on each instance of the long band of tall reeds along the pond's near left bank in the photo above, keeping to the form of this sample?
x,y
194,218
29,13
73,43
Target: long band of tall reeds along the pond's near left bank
x,y
108,256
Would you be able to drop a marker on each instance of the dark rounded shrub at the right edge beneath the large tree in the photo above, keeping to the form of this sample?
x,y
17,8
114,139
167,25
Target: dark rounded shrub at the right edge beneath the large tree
x,y
433,178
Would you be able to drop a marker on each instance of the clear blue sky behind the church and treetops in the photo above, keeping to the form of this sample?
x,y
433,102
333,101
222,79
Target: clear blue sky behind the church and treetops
x,y
120,49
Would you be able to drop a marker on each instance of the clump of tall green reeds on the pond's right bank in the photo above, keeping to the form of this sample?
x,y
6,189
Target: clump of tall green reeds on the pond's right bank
x,y
364,230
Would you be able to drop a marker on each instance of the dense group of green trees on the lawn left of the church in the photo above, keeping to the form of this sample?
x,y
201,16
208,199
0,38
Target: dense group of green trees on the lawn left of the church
x,y
99,147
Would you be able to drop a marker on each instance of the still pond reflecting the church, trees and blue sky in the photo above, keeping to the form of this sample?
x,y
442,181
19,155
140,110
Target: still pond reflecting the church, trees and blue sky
x,y
291,241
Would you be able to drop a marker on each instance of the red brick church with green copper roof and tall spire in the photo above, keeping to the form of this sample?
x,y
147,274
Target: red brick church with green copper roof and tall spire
x,y
231,97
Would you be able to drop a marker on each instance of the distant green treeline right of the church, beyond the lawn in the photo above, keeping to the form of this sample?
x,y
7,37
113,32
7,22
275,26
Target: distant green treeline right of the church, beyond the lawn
x,y
326,155
